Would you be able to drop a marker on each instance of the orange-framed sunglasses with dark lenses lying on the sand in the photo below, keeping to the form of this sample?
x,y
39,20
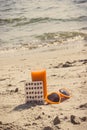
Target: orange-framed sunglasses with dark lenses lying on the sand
x,y
57,97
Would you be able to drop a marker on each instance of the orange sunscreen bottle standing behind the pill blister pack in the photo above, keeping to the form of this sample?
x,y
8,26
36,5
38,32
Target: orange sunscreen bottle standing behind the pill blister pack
x,y
40,76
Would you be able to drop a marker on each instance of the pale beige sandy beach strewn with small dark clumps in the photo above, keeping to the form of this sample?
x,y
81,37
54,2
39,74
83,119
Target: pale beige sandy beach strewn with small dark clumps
x,y
66,66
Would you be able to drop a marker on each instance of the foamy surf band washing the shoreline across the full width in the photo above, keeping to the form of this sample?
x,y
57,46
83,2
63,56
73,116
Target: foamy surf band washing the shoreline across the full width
x,y
46,39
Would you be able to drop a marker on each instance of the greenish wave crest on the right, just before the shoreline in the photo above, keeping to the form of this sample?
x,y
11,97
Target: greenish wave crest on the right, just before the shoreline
x,y
60,37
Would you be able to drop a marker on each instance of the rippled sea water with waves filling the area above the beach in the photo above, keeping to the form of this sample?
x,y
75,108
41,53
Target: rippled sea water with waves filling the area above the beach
x,y
41,22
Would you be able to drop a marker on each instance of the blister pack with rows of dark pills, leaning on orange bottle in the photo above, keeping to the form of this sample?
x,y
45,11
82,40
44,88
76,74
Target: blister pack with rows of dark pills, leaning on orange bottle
x,y
34,92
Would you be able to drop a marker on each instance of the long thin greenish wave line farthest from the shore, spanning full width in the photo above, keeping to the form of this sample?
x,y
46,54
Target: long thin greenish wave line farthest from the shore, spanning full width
x,y
23,20
